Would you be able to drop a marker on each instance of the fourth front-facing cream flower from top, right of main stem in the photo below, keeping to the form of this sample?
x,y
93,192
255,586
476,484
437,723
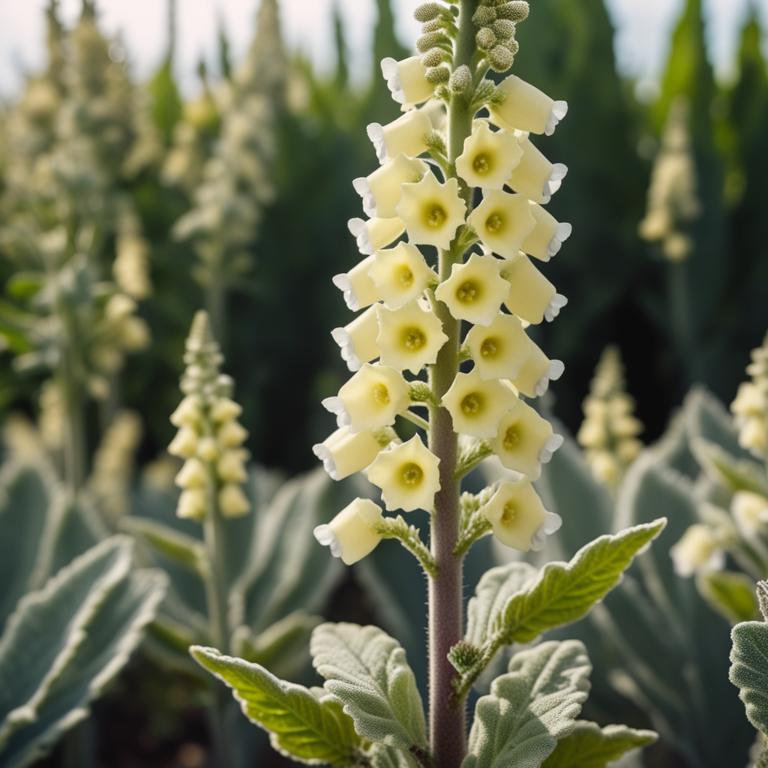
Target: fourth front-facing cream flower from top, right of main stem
x,y
500,349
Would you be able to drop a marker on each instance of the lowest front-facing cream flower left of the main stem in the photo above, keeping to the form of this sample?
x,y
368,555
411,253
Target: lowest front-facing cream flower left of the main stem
x,y
408,476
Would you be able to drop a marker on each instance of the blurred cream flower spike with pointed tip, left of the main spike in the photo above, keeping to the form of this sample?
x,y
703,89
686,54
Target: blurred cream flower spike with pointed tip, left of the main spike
x,y
210,438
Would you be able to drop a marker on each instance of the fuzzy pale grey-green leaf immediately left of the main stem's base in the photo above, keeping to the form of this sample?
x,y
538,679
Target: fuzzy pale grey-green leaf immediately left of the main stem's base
x,y
366,670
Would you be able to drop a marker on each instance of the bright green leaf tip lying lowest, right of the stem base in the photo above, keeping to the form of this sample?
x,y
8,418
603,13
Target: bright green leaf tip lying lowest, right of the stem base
x,y
590,746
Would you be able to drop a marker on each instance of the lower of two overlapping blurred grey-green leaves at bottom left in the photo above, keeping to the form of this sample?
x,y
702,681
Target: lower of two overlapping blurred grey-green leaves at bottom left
x,y
113,633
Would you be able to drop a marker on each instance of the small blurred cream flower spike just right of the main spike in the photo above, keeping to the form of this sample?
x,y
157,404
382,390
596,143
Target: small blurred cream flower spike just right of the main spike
x,y
609,431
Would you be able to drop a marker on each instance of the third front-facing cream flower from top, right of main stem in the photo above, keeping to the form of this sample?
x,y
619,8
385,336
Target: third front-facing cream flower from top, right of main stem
x,y
475,290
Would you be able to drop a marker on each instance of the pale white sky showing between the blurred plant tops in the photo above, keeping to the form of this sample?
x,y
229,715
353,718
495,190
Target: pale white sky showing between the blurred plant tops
x,y
642,25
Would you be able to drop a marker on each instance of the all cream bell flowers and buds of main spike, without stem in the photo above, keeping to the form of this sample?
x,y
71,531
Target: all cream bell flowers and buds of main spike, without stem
x,y
417,205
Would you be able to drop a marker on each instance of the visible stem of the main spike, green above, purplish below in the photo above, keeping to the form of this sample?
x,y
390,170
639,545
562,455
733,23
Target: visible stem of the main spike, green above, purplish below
x,y
446,606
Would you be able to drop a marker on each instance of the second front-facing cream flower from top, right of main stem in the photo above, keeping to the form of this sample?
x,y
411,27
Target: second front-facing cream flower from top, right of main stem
x,y
502,222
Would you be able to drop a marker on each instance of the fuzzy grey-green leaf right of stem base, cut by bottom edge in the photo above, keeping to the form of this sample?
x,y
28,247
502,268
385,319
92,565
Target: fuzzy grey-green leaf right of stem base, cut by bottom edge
x,y
519,723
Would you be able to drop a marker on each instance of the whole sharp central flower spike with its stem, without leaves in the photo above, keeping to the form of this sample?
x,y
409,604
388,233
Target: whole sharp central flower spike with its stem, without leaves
x,y
441,321
